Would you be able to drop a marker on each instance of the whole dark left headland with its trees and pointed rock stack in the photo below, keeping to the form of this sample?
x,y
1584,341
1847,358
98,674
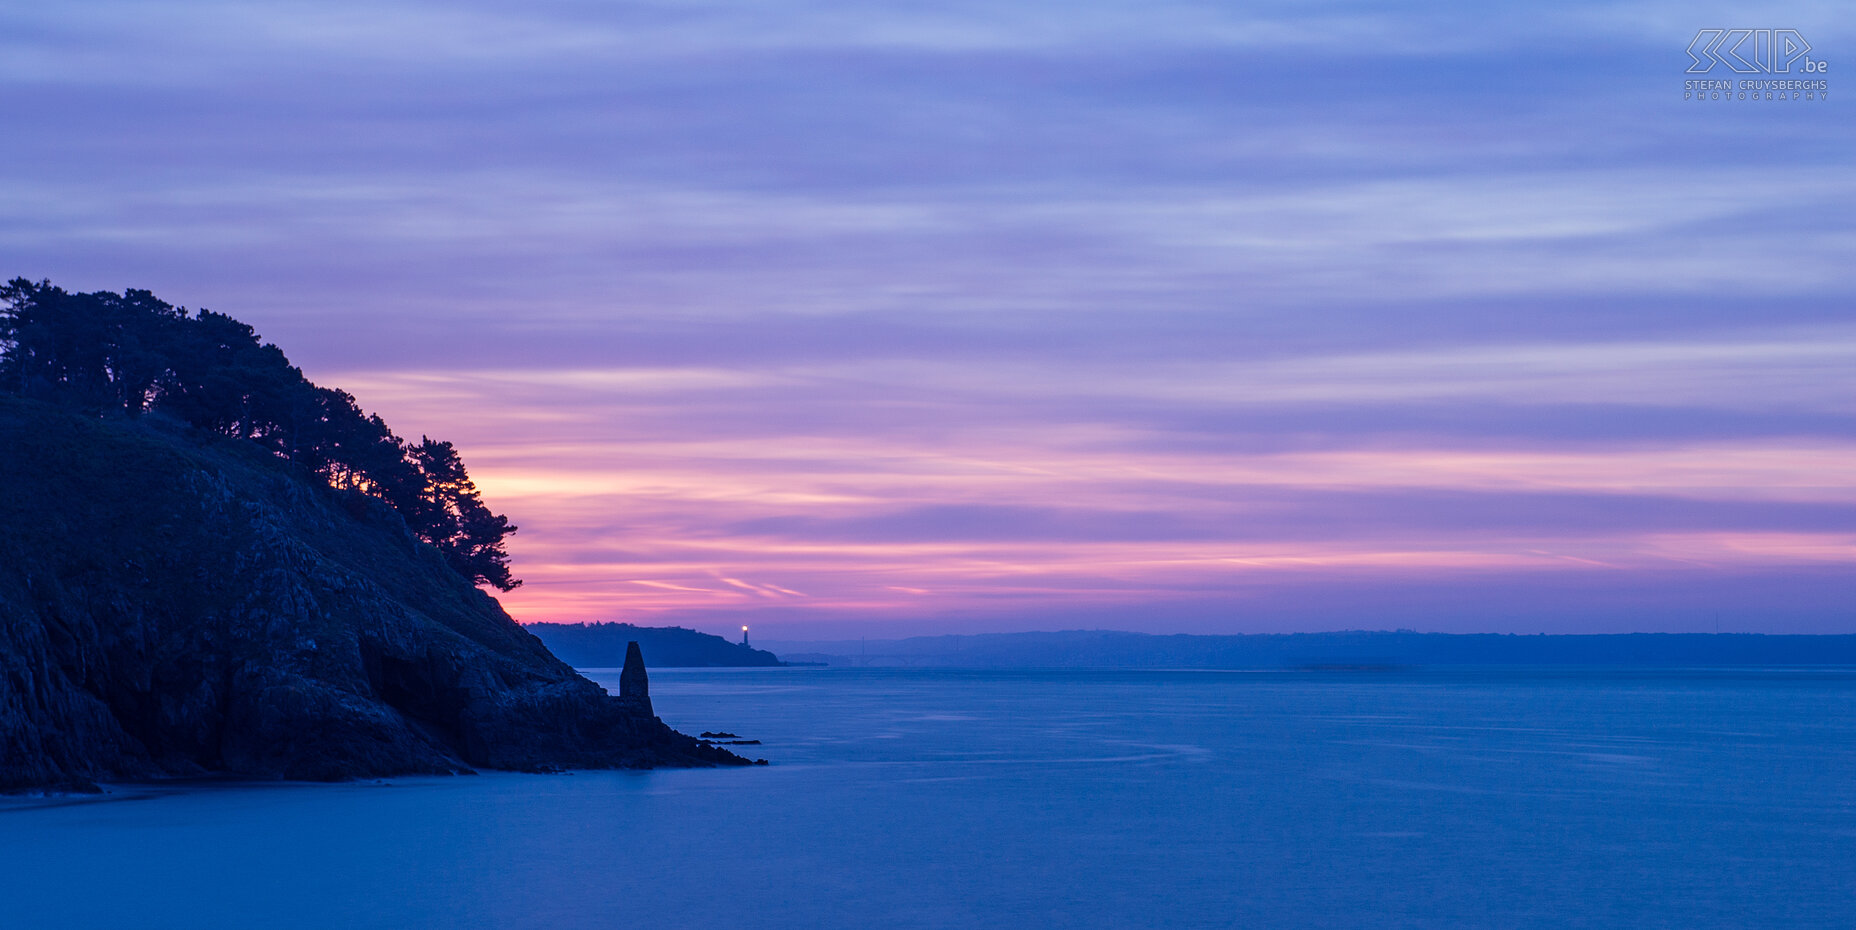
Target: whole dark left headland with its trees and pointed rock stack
x,y
214,567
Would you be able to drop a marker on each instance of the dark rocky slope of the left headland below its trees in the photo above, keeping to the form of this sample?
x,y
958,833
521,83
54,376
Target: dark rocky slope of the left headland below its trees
x,y
175,604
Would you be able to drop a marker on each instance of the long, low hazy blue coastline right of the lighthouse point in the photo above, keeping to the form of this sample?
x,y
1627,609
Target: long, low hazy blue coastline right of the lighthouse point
x,y
1105,649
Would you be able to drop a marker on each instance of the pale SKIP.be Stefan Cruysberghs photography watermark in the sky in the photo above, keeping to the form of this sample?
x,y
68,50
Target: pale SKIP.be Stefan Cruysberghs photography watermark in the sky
x,y
1755,53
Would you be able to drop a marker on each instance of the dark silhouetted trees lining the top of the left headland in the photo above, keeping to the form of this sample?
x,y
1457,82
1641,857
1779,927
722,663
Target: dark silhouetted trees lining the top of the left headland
x,y
129,355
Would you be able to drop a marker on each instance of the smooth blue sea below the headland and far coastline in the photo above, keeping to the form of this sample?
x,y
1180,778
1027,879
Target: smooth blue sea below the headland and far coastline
x,y
931,799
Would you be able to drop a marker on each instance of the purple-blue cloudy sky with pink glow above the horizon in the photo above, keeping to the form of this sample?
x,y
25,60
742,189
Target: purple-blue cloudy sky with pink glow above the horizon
x,y
979,316
